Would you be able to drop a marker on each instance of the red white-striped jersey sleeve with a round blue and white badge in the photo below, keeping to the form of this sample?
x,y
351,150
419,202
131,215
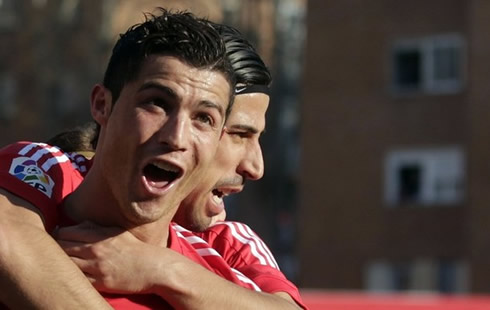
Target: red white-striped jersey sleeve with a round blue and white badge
x,y
40,174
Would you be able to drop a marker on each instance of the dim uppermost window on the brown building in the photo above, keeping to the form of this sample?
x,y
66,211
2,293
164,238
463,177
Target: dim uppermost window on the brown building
x,y
430,64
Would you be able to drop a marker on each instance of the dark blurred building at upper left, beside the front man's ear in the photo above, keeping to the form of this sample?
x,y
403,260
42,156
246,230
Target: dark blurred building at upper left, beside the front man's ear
x,y
50,56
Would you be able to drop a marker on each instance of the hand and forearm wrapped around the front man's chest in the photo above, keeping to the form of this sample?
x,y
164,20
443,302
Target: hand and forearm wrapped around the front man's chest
x,y
124,264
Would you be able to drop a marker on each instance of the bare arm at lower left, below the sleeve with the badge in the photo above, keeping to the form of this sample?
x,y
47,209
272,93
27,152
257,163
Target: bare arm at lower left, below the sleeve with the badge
x,y
34,272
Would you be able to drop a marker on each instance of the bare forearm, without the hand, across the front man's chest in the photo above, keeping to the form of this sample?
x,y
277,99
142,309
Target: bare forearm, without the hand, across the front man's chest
x,y
187,285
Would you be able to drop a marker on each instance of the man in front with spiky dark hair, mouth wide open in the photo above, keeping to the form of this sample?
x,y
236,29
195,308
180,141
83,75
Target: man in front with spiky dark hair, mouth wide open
x,y
161,110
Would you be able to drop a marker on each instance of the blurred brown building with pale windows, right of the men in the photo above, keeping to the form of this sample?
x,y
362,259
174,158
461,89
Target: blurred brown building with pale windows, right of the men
x,y
395,155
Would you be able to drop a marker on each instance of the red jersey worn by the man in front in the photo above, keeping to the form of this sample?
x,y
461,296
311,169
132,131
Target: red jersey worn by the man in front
x,y
44,176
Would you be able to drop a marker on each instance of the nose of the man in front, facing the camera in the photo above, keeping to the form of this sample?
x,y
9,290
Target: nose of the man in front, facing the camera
x,y
175,132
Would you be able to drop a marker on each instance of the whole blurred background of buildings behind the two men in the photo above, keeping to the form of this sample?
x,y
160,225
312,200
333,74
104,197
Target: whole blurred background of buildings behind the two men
x,y
377,174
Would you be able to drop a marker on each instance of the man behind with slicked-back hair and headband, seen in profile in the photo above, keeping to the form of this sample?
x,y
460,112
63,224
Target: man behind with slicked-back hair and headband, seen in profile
x,y
239,158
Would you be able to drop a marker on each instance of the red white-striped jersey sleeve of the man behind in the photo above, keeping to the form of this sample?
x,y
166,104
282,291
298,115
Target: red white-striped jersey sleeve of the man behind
x,y
244,251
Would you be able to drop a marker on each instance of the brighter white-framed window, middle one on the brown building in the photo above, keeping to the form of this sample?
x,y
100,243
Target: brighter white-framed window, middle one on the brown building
x,y
424,177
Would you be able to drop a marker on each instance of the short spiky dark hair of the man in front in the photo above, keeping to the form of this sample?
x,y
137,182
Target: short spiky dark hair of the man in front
x,y
192,40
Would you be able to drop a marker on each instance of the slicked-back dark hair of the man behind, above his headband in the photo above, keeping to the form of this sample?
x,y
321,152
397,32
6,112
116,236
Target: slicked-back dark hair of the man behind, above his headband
x,y
249,68
